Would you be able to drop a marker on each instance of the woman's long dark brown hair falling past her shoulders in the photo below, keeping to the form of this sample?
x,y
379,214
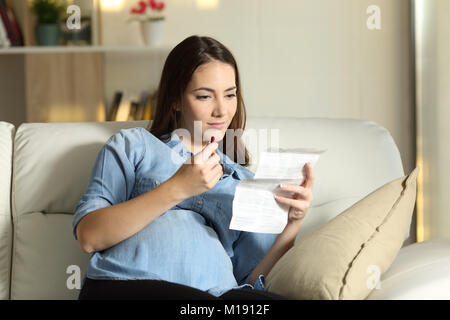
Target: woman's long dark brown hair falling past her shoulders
x,y
178,69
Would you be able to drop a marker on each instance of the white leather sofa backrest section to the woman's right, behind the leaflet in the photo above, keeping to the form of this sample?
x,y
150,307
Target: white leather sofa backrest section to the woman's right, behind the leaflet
x,y
361,156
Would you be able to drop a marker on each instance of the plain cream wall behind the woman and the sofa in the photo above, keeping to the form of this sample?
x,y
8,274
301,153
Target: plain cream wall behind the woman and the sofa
x,y
312,58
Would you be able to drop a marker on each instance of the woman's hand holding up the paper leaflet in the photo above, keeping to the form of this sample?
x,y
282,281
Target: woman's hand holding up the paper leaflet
x,y
302,198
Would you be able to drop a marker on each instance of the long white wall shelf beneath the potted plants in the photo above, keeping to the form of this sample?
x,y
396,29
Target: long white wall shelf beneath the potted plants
x,y
75,49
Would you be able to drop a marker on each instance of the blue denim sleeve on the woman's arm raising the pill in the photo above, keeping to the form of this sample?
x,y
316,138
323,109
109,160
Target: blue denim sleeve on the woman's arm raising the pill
x,y
113,175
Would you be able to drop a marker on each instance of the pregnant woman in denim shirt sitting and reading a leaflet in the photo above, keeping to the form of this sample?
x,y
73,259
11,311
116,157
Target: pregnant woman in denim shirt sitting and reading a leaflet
x,y
156,212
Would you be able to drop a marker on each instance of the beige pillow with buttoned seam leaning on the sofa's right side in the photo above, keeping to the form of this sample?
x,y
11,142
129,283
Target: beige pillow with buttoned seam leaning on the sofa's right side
x,y
345,258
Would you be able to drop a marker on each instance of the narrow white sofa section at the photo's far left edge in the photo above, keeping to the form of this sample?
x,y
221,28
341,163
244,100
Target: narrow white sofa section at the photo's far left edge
x,y
6,144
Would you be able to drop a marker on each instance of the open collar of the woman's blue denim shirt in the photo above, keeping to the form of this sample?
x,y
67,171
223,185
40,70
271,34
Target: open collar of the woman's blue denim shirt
x,y
229,166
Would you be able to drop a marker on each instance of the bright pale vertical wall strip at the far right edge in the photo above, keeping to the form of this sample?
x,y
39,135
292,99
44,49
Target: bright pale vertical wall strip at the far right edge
x,y
433,116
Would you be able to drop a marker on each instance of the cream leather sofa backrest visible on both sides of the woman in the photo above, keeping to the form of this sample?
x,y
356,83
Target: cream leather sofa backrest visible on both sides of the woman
x,y
53,161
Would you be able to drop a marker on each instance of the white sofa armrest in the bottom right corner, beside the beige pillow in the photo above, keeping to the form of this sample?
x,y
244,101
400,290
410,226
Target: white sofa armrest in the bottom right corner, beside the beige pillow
x,y
420,271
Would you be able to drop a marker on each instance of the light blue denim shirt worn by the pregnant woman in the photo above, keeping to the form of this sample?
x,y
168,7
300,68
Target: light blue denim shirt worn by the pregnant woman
x,y
191,243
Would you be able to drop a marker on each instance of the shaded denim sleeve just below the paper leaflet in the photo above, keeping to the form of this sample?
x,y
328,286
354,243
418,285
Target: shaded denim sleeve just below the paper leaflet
x,y
249,249
